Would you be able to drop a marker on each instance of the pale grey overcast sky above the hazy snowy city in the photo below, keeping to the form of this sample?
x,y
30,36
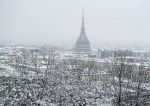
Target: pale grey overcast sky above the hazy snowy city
x,y
59,21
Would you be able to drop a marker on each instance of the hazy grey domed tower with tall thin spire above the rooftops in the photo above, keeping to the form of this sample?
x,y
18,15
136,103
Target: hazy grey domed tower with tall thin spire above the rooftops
x,y
82,43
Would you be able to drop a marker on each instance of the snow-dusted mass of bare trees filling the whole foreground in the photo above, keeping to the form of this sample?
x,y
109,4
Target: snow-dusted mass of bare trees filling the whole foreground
x,y
45,79
